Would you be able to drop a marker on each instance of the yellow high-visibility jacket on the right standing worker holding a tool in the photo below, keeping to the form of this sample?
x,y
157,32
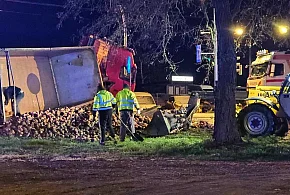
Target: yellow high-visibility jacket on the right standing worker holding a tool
x,y
126,100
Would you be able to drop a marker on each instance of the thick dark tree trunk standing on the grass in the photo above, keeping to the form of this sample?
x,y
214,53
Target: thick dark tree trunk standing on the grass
x,y
225,127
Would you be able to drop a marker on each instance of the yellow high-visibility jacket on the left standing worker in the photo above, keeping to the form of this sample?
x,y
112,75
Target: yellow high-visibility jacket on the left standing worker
x,y
103,100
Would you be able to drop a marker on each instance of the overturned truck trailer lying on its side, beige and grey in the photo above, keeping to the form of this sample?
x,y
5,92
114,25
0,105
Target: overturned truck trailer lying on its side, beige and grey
x,y
49,77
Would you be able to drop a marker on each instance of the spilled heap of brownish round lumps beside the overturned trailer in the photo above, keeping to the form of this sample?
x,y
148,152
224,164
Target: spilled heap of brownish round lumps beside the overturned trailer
x,y
76,123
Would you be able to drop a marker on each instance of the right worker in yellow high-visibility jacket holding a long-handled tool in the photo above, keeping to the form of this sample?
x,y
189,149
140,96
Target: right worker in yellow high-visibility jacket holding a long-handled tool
x,y
126,101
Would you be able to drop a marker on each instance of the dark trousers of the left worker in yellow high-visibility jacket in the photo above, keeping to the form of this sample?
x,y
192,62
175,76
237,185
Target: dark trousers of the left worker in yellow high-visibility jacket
x,y
105,121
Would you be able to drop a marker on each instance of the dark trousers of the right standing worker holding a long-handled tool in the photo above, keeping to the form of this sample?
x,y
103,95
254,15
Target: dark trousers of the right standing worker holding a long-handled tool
x,y
127,117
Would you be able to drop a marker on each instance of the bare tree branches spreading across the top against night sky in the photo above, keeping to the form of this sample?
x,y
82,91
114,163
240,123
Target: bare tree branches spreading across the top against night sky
x,y
157,29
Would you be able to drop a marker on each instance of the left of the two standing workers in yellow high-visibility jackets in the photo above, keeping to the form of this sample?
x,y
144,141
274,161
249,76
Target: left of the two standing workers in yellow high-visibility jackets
x,y
104,102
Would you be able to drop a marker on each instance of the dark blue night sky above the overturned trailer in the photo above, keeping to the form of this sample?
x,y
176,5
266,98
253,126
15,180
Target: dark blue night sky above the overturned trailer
x,y
25,25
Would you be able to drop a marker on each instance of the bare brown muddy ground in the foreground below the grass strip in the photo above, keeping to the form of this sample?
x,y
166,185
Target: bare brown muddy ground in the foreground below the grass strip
x,y
105,174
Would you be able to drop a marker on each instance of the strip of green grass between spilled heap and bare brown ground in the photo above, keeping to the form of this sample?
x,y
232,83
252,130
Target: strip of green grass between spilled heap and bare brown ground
x,y
195,145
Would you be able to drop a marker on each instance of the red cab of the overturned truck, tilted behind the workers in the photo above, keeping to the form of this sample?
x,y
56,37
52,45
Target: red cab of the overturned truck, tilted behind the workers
x,y
116,63
